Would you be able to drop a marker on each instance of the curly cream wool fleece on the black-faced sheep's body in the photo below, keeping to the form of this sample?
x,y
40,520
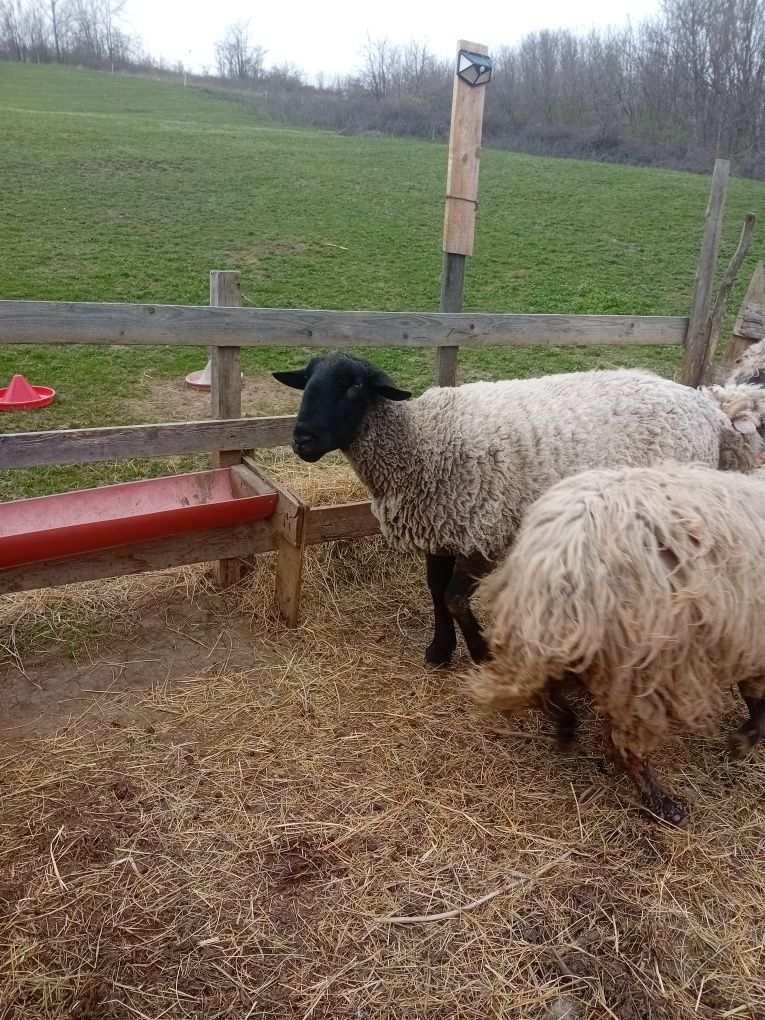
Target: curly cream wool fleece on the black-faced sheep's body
x,y
454,471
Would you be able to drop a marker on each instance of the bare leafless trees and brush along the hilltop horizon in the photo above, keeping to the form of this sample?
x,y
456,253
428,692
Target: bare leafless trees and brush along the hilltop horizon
x,y
676,90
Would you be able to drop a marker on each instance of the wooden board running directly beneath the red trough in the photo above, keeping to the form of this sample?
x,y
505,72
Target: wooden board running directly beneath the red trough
x,y
201,547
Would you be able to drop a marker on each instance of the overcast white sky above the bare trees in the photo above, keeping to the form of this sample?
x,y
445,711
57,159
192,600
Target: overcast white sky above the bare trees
x,y
328,35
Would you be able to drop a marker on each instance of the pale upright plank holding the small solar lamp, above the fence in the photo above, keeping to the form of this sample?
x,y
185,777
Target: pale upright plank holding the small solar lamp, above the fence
x,y
465,161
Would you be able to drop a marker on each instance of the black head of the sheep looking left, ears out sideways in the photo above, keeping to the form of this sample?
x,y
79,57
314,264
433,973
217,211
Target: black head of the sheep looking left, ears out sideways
x,y
338,392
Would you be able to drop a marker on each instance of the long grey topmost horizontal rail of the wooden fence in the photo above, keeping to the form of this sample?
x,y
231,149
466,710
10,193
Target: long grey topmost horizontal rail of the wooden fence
x,y
64,323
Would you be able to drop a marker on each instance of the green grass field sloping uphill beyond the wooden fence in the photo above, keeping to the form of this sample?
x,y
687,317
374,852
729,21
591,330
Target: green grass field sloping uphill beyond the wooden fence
x,y
122,189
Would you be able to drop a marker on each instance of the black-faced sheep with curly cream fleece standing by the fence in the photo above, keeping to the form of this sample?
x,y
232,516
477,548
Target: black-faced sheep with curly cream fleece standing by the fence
x,y
452,473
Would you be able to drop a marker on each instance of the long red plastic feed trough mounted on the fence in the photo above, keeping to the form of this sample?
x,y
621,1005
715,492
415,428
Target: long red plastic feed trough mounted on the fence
x,y
52,527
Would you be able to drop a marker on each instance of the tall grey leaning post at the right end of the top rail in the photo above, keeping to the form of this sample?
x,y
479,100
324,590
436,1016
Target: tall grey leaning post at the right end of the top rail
x,y
698,331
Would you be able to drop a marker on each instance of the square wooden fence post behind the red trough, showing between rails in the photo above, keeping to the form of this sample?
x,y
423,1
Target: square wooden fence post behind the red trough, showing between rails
x,y
226,391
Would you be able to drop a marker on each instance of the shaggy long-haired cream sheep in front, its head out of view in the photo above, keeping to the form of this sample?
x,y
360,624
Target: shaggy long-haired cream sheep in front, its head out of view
x,y
648,585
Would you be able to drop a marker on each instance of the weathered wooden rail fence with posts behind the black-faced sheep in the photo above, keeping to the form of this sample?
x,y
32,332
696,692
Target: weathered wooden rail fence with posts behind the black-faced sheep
x,y
226,328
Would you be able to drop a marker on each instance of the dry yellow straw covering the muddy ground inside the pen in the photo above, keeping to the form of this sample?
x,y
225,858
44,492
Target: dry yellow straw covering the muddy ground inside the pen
x,y
271,824
